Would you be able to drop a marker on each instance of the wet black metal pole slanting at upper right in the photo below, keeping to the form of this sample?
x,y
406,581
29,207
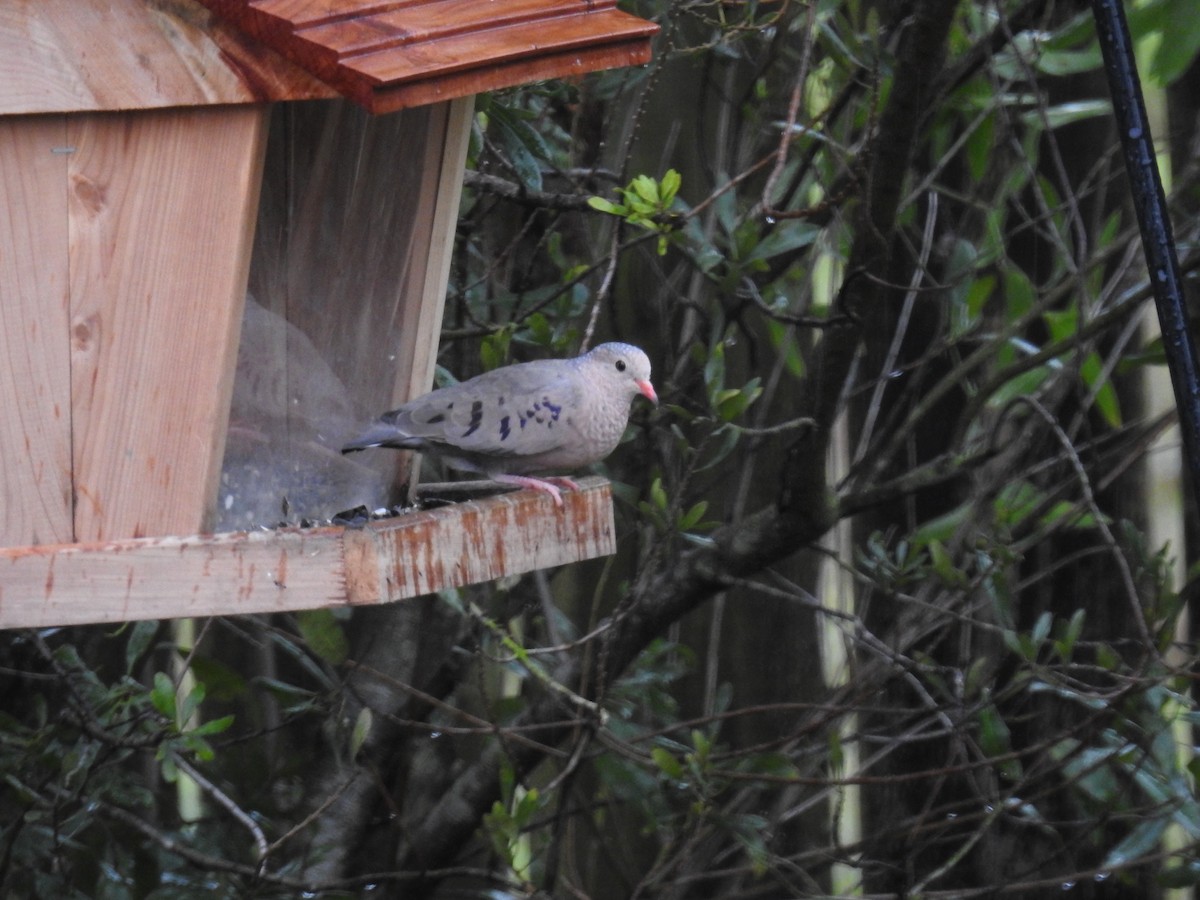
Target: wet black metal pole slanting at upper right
x,y
1157,241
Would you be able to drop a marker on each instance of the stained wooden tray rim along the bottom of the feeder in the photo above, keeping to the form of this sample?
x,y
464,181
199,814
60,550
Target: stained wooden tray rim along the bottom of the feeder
x,y
295,569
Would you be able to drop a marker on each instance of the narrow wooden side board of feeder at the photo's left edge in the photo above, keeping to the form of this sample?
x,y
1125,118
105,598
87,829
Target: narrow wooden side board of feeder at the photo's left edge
x,y
35,365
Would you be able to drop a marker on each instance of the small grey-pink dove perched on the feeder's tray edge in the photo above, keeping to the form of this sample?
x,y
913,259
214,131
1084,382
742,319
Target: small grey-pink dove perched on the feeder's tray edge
x,y
543,417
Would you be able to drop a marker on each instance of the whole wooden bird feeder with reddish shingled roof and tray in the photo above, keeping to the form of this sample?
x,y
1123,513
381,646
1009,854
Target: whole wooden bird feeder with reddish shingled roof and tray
x,y
226,233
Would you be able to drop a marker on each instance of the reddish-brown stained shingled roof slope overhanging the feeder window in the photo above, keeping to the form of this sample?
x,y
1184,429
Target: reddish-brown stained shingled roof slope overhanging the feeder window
x,y
388,56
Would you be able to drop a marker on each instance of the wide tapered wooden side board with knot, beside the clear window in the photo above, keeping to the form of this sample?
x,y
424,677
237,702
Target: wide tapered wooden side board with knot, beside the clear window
x,y
161,219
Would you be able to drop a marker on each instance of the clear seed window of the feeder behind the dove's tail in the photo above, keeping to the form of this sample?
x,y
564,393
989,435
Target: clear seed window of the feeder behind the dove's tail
x,y
339,268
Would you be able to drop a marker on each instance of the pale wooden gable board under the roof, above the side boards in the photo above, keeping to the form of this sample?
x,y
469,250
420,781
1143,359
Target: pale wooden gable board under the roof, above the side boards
x,y
77,56
